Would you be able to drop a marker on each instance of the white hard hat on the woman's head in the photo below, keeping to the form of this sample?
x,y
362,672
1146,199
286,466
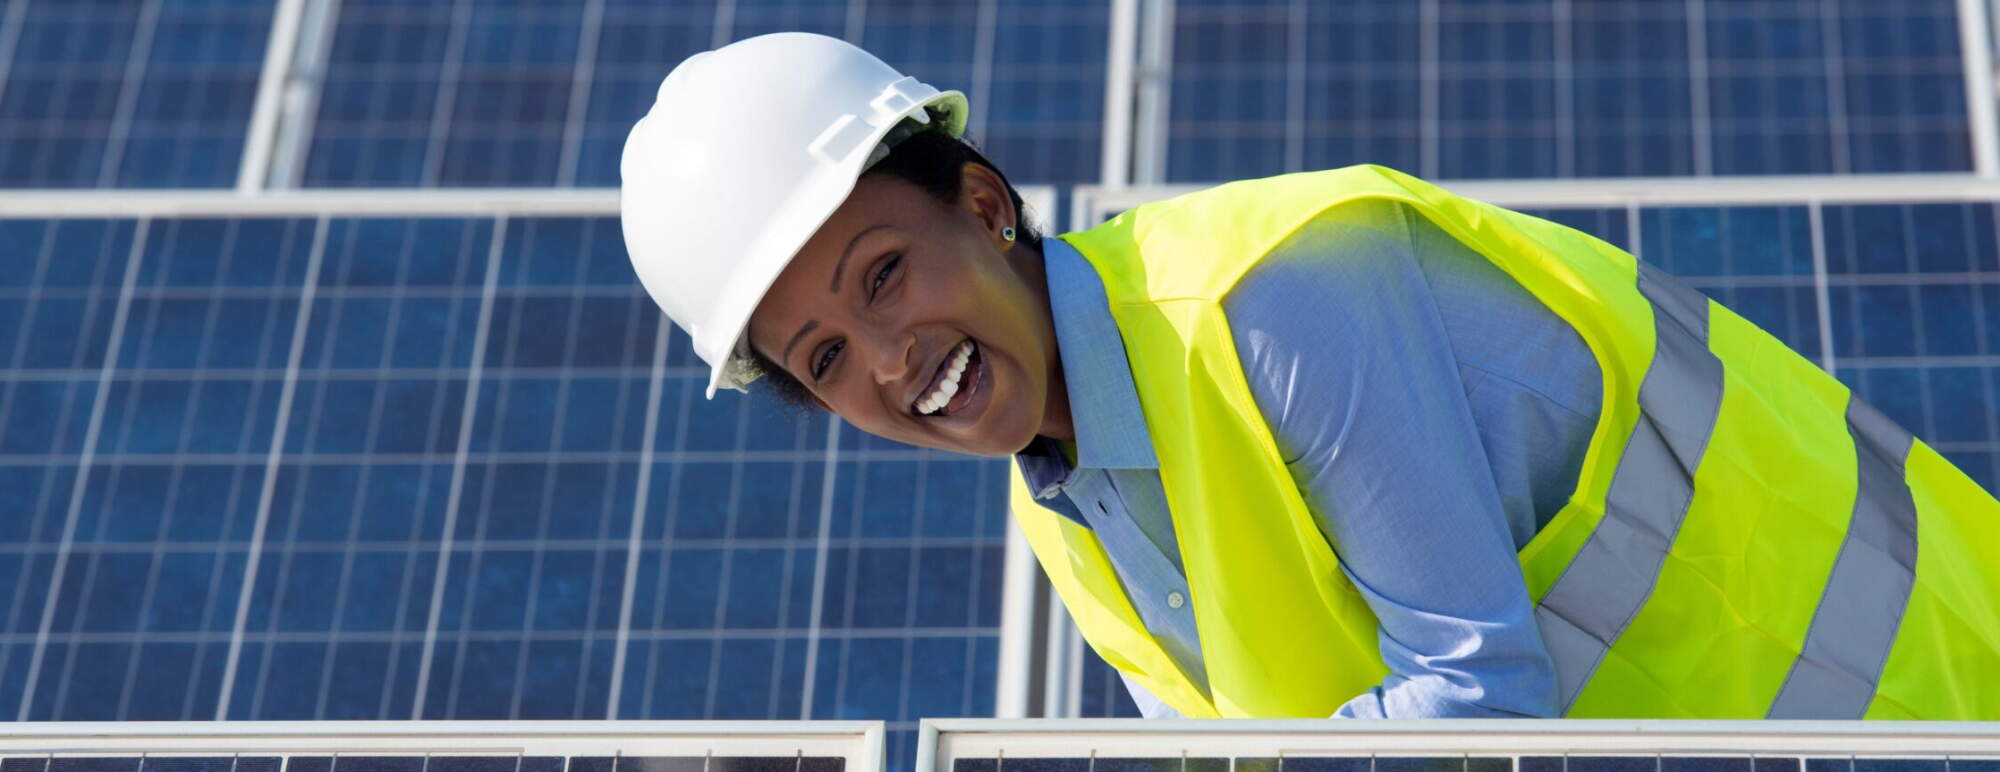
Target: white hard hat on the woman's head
x,y
747,151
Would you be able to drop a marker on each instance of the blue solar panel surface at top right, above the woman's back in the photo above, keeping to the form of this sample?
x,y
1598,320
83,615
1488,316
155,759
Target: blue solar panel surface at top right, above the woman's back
x,y
1555,89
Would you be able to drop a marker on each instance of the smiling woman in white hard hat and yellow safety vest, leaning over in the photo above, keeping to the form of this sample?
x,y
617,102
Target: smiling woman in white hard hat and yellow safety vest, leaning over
x,y
1325,445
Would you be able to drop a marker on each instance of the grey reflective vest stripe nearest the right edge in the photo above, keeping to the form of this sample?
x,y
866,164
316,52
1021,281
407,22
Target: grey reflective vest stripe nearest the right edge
x,y
1869,587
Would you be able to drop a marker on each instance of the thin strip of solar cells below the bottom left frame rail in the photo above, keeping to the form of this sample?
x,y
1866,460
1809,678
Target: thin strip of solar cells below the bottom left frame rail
x,y
363,763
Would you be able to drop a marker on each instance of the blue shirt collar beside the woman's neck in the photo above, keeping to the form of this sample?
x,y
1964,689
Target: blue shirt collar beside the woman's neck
x,y
1111,429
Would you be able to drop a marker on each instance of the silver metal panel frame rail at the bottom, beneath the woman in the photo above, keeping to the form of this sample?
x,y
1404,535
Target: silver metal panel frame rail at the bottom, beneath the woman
x,y
943,743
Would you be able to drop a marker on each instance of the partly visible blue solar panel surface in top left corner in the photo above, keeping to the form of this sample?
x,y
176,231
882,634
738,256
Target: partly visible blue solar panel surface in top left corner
x,y
127,93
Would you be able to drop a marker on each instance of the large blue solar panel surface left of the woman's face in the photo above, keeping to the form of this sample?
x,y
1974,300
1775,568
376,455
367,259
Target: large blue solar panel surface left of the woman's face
x,y
449,511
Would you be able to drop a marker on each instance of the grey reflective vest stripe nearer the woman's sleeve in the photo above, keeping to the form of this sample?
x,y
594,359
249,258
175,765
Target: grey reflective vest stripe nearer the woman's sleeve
x,y
1617,569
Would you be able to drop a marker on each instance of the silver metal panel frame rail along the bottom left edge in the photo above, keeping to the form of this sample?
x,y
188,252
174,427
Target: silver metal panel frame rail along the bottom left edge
x,y
857,743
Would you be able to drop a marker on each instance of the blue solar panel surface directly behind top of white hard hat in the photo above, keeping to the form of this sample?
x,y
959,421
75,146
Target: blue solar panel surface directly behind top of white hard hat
x,y
489,93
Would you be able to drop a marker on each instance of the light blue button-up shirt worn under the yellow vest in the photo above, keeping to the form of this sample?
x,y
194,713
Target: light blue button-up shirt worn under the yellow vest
x,y
1433,415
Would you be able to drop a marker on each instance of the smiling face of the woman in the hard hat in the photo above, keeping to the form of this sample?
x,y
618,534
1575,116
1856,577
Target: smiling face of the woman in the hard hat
x,y
919,323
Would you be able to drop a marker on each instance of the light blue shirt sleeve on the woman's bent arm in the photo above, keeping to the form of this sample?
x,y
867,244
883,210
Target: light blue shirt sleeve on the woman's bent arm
x,y
1349,359
